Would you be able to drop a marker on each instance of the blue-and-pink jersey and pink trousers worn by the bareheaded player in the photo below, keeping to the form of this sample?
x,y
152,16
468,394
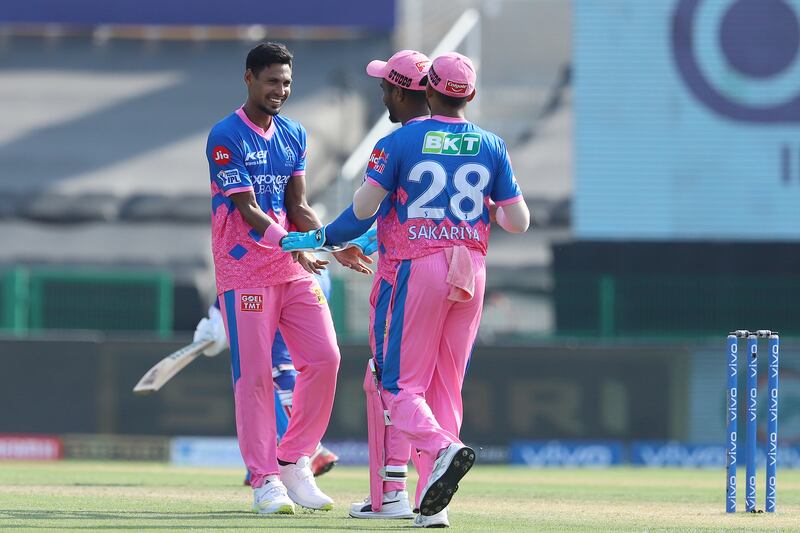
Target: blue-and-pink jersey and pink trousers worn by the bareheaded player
x,y
261,289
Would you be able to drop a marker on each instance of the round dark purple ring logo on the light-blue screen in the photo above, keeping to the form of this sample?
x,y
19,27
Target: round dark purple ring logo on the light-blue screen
x,y
741,58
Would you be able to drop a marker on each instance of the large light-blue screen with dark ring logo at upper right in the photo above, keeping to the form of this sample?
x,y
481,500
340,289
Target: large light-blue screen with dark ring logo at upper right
x,y
687,119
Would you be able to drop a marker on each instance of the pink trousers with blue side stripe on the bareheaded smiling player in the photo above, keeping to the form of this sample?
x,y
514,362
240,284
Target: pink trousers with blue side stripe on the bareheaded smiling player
x,y
251,318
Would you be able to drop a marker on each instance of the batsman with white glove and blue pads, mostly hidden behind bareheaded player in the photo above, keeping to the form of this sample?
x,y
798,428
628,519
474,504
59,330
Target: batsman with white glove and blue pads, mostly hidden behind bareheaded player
x,y
283,375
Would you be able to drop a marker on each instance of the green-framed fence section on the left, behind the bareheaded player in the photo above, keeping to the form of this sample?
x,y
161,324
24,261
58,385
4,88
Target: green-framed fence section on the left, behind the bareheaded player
x,y
114,300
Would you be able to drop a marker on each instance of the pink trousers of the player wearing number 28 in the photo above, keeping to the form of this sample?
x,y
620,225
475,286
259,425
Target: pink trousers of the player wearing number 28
x,y
426,351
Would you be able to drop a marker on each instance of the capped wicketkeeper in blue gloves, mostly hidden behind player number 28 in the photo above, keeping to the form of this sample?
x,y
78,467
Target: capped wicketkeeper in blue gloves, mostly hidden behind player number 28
x,y
403,80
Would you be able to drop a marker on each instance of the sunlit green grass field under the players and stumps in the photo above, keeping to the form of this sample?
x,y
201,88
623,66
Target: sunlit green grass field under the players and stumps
x,y
146,496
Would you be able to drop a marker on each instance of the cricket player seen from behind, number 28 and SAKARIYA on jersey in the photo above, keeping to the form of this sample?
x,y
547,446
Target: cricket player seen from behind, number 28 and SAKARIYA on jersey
x,y
442,175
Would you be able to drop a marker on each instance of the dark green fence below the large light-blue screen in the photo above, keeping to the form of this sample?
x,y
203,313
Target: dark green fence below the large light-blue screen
x,y
664,305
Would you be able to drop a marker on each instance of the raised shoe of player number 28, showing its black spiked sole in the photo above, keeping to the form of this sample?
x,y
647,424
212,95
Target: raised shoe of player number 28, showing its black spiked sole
x,y
452,465
